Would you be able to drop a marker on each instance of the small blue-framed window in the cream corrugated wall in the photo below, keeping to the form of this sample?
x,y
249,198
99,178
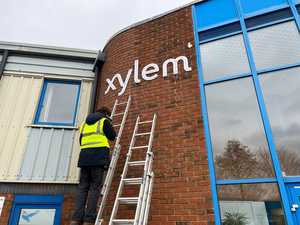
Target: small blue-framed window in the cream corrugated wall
x,y
58,103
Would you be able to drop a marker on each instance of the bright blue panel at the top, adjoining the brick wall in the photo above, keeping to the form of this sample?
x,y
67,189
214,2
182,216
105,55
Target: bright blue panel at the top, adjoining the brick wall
x,y
211,13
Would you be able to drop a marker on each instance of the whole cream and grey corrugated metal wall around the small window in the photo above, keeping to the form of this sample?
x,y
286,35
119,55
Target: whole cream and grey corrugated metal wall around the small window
x,y
35,154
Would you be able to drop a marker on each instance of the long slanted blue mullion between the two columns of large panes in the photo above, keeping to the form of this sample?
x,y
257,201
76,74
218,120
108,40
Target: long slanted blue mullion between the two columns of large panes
x,y
265,119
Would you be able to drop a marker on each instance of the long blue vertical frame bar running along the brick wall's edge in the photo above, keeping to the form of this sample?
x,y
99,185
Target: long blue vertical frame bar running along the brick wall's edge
x,y
206,126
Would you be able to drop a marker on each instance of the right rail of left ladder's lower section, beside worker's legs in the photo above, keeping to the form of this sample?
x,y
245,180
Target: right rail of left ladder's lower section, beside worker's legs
x,y
107,183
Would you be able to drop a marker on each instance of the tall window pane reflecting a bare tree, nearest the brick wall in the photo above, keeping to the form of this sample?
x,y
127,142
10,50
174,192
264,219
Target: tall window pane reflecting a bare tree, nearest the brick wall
x,y
237,133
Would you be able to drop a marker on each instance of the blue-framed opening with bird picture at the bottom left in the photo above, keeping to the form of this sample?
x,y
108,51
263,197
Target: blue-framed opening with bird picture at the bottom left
x,y
36,209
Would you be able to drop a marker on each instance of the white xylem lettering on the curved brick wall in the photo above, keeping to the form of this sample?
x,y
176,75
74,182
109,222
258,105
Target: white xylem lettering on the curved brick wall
x,y
149,72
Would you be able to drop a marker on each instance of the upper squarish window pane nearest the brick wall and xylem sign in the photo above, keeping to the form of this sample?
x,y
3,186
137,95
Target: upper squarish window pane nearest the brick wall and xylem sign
x,y
224,57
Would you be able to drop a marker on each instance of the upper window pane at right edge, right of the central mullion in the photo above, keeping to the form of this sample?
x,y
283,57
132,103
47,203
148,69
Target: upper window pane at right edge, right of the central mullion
x,y
275,45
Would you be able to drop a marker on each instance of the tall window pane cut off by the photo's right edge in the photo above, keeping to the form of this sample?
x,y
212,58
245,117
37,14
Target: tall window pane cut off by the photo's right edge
x,y
281,93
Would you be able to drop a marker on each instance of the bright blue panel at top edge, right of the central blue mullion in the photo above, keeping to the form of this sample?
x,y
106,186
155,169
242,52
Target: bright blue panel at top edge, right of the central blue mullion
x,y
250,6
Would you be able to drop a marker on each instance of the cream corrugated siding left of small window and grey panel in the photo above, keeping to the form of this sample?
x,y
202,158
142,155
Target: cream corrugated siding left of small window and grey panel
x,y
18,97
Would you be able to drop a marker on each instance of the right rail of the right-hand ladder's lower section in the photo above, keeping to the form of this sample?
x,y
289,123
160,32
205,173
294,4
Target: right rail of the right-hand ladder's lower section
x,y
146,187
